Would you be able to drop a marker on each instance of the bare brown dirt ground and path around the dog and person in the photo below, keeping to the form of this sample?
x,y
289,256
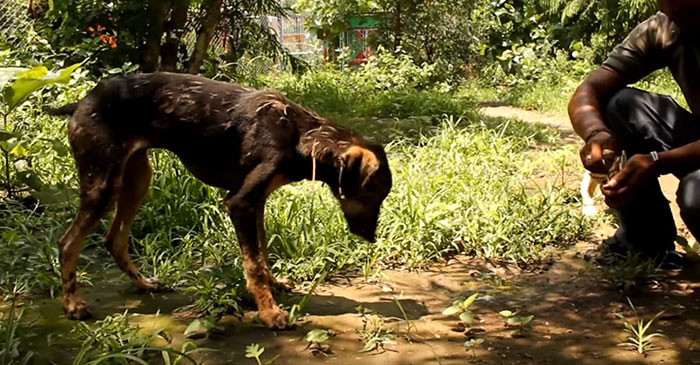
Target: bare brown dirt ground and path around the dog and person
x,y
574,313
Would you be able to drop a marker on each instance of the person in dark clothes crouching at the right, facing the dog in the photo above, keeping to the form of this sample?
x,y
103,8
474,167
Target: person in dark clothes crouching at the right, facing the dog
x,y
658,135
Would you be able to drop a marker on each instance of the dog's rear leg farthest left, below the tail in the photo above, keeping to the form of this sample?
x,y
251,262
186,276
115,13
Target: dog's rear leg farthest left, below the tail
x,y
97,191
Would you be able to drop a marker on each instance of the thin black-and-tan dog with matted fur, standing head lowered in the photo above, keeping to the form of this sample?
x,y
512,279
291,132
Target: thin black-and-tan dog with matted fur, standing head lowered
x,y
246,141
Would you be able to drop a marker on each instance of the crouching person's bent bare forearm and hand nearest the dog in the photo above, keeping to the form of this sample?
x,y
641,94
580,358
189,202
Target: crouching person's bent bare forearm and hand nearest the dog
x,y
586,113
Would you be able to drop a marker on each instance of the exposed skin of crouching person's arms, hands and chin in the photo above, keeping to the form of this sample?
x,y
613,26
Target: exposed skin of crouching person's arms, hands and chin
x,y
585,111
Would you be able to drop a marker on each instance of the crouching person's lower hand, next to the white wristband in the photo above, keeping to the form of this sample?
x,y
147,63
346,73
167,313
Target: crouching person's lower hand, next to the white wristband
x,y
638,171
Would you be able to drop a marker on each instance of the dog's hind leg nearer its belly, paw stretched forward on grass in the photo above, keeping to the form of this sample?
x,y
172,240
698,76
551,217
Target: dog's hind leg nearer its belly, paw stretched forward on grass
x,y
136,180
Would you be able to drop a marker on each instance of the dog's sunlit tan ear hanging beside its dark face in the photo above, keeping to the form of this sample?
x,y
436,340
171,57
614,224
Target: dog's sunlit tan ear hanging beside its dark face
x,y
358,164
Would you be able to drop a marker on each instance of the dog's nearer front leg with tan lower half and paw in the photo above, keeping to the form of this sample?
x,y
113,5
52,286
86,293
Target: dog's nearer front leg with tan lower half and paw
x,y
242,207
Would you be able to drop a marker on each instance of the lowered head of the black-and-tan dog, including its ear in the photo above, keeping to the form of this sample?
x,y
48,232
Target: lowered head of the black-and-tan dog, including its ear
x,y
364,183
